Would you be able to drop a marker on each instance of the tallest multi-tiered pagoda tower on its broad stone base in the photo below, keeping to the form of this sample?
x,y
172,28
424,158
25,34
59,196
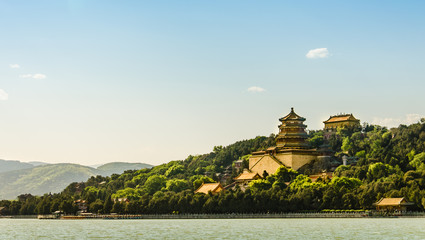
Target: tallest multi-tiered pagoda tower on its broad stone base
x,y
292,149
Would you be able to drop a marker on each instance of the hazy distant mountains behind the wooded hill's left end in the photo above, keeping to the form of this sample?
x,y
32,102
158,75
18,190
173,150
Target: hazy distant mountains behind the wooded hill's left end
x,y
38,178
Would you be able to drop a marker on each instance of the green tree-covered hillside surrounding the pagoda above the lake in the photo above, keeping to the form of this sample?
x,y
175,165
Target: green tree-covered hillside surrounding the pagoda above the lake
x,y
388,163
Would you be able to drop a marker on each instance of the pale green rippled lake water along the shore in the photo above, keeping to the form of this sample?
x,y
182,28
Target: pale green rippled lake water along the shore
x,y
361,228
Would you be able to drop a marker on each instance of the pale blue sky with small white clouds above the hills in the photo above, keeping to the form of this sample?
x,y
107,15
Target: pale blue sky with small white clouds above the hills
x,y
92,82
